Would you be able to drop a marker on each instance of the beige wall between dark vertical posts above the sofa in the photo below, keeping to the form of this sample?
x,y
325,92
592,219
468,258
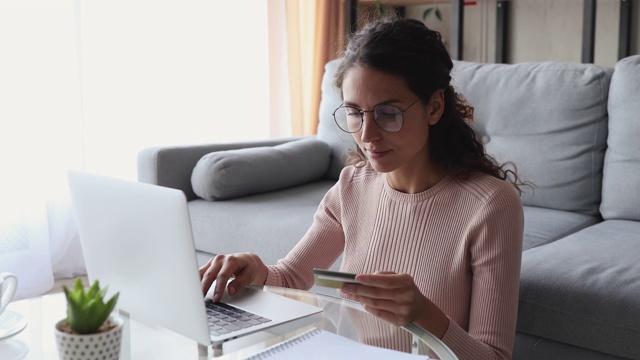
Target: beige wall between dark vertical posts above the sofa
x,y
532,24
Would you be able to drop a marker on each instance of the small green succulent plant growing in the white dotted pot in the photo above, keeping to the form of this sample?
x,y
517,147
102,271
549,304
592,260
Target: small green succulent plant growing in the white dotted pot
x,y
86,310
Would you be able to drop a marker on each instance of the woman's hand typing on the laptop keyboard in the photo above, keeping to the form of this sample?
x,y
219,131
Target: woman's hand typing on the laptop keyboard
x,y
244,268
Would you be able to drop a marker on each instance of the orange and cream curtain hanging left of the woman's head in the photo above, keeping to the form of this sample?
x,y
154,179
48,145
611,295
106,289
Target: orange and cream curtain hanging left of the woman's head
x,y
315,35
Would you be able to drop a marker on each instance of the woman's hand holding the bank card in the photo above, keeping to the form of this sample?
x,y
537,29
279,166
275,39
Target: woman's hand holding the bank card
x,y
396,299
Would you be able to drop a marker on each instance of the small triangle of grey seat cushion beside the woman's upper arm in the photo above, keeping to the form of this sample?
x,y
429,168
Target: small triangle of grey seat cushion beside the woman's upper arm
x,y
542,226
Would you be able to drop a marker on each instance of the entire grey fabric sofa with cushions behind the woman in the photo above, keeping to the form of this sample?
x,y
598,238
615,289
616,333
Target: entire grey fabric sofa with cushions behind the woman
x,y
572,130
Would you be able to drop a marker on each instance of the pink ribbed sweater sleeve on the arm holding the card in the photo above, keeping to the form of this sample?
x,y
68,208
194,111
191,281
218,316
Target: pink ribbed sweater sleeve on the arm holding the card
x,y
495,250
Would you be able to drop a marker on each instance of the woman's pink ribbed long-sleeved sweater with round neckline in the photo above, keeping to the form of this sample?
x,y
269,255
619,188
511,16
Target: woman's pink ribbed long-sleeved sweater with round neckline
x,y
461,240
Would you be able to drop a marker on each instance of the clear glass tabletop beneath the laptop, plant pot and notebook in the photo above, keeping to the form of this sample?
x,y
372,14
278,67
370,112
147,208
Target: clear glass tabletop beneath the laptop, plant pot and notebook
x,y
141,341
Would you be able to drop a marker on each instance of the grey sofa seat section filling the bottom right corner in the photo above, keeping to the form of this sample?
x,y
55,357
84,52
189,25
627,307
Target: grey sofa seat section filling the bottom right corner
x,y
584,290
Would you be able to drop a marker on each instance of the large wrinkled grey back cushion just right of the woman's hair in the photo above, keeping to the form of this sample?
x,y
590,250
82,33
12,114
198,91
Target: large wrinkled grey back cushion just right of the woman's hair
x,y
550,119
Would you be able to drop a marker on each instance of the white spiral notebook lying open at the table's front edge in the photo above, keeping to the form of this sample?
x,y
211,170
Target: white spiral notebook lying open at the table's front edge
x,y
321,344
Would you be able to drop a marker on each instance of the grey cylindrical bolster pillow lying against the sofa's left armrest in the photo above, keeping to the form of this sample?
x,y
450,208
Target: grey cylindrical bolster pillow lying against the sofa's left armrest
x,y
229,174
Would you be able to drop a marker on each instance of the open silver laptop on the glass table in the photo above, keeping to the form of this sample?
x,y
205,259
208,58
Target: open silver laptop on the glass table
x,y
137,240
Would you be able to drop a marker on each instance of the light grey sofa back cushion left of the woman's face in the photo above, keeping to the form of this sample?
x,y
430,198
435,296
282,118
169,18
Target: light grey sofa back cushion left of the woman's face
x,y
328,131
